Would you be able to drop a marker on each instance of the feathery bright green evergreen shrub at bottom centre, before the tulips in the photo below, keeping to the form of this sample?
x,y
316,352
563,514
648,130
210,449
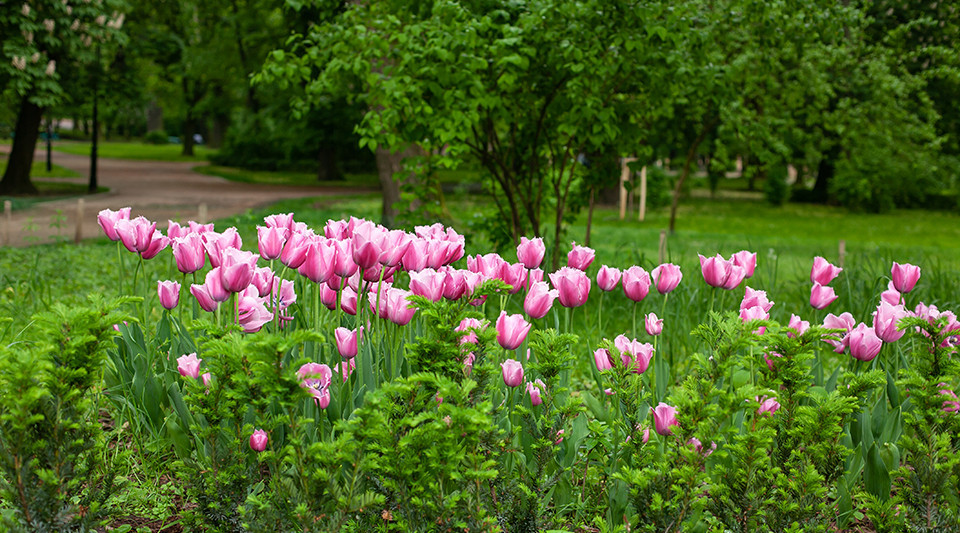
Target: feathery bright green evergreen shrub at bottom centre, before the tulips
x,y
423,438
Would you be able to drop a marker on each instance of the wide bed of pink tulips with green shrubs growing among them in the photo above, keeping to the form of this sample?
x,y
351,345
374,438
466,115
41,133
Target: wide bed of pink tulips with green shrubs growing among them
x,y
386,314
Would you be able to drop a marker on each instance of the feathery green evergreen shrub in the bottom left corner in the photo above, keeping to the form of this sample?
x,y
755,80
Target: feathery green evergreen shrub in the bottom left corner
x,y
53,474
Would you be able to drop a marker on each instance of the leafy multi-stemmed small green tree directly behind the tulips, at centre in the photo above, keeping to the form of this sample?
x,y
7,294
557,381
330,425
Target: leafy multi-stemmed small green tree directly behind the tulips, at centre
x,y
522,87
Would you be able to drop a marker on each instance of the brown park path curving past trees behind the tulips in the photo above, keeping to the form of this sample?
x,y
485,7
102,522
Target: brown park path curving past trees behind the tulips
x,y
158,190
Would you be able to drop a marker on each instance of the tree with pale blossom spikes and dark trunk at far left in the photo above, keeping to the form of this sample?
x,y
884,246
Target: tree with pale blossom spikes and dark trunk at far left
x,y
35,38
